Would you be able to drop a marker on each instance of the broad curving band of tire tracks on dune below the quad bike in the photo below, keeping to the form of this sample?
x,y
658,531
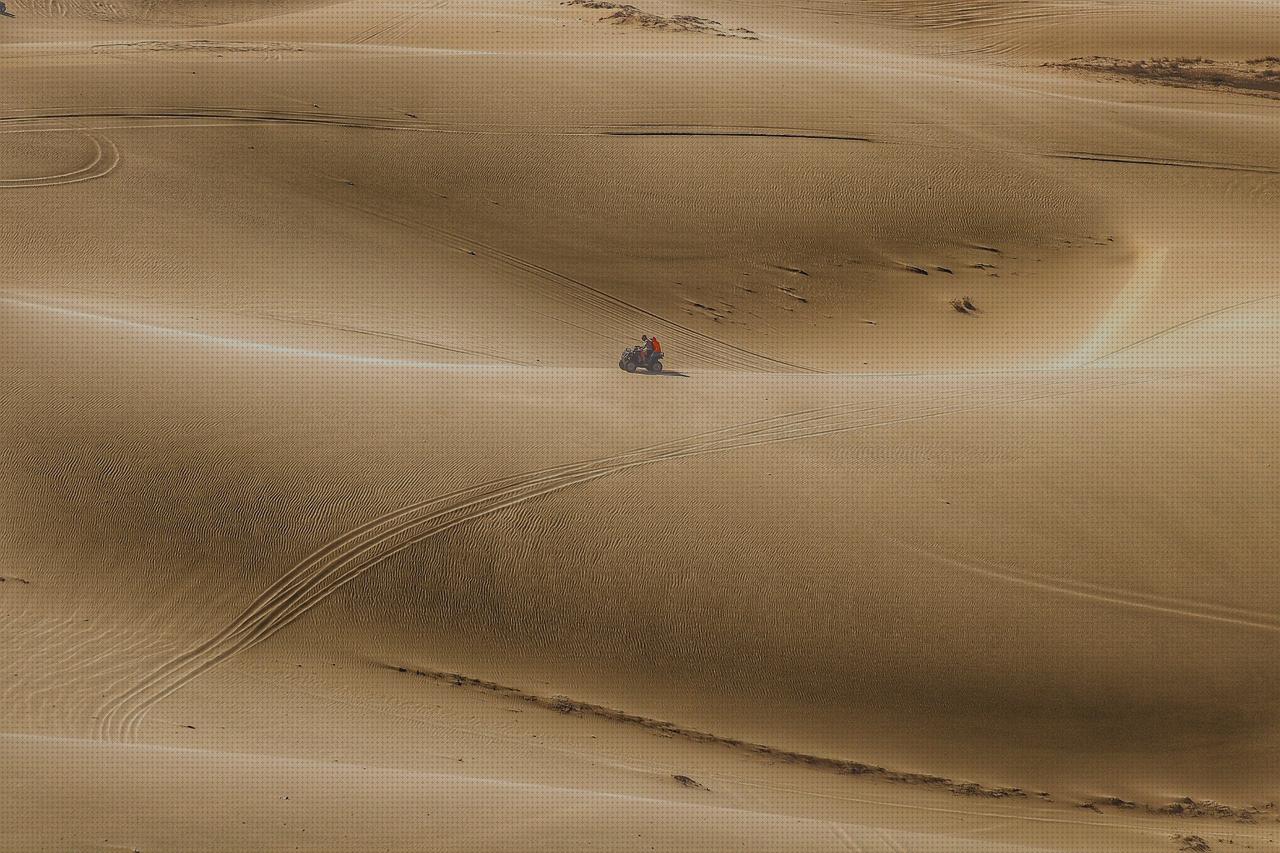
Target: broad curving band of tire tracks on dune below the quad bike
x,y
358,551
